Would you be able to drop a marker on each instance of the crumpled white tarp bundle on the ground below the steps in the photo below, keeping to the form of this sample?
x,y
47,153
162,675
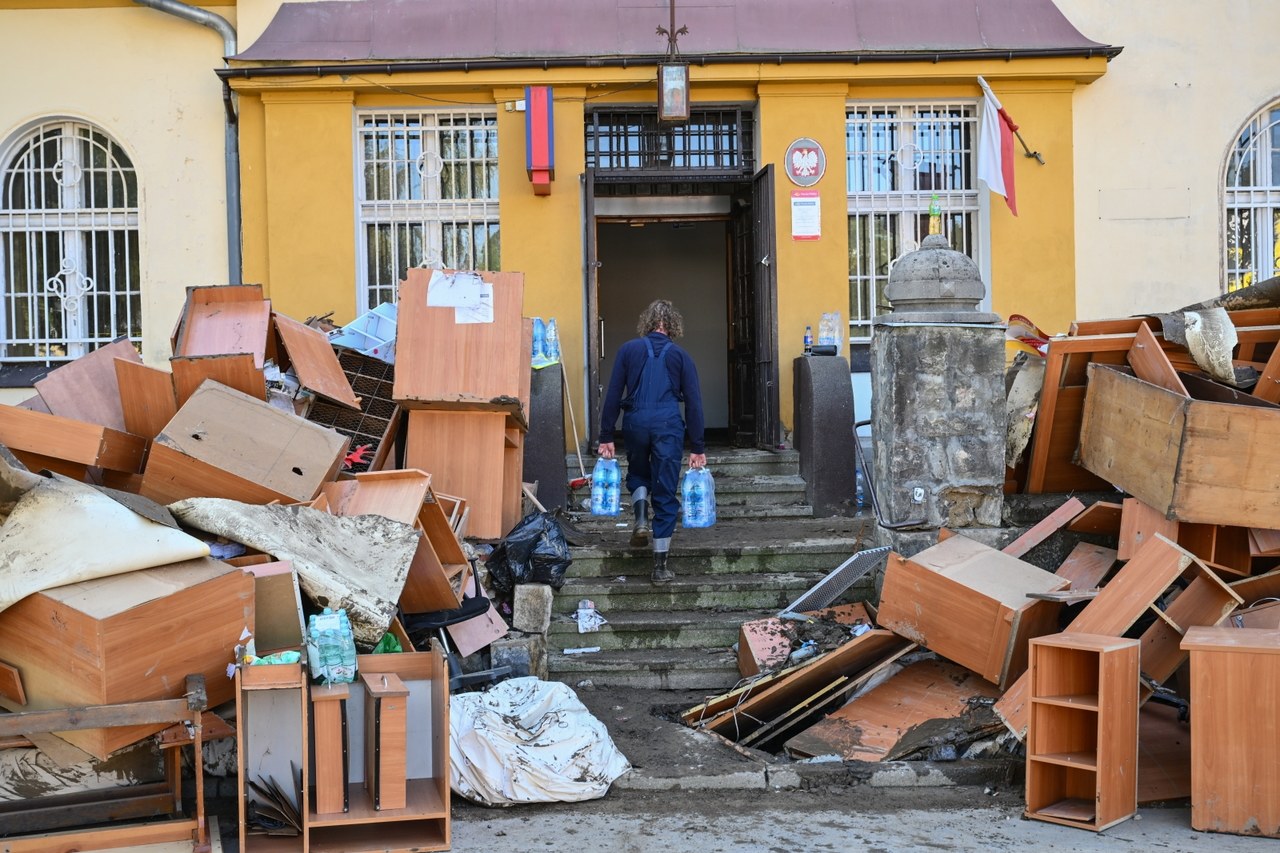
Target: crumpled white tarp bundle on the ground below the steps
x,y
528,741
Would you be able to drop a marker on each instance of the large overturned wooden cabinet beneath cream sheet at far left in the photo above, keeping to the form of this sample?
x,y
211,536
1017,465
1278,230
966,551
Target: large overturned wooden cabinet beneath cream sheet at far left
x,y
129,638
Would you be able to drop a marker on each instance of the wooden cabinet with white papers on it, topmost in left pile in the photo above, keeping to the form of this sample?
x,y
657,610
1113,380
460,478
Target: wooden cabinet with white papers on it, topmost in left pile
x,y
442,363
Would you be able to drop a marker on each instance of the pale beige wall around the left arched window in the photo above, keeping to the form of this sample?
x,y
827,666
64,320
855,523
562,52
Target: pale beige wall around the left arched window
x,y
148,80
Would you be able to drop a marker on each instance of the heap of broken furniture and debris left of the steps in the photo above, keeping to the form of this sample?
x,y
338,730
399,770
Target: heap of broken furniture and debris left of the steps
x,y
171,533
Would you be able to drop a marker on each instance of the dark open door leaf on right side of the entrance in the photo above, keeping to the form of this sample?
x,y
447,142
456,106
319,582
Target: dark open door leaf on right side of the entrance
x,y
753,322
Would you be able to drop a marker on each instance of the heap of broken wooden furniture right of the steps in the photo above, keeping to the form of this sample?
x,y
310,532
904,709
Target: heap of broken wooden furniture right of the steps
x,y
1142,664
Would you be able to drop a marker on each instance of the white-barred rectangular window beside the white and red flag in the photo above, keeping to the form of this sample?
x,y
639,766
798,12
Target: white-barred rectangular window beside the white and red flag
x,y
900,157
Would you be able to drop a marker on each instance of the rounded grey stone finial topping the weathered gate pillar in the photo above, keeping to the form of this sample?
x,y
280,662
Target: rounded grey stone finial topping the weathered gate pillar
x,y
936,285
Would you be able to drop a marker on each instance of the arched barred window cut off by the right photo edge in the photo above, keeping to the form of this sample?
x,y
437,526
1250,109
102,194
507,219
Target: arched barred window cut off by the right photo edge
x,y
1252,200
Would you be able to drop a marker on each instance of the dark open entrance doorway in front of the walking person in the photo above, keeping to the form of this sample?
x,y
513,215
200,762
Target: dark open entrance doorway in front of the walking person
x,y
685,262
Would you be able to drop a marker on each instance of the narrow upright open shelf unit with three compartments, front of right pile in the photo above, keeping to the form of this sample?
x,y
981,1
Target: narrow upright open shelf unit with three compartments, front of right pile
x,y
1082,738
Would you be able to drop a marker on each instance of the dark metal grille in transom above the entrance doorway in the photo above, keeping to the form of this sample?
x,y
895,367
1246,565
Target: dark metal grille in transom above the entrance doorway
x,y
634,145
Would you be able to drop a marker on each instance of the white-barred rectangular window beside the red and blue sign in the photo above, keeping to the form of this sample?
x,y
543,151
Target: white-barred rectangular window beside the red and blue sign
x,y
427,195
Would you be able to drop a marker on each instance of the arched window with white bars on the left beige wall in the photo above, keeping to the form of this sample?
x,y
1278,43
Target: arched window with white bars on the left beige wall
x,y
70,279
